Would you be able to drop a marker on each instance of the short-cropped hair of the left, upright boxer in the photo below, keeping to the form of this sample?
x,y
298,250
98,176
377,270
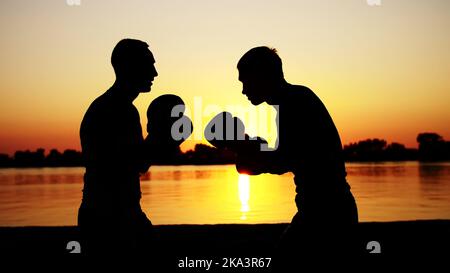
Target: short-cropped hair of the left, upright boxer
x,y
127,51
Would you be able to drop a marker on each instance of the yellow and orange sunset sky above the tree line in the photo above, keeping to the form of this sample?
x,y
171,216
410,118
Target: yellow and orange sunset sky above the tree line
x,y
382,71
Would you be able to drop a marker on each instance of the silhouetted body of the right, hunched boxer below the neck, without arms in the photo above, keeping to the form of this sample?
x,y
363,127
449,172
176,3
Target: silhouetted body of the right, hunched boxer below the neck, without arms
x,y
310,147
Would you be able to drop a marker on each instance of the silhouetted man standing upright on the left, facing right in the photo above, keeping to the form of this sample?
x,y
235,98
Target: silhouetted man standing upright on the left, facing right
x,y
110,216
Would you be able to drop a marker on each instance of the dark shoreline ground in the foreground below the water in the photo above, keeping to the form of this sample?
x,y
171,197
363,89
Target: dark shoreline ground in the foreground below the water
x,y
231,248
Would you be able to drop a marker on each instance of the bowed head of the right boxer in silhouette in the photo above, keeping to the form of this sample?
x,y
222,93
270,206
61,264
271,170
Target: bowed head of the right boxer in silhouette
x,y
261,74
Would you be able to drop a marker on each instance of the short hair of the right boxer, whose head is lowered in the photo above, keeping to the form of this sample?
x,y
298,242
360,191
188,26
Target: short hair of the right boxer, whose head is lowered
x,y
262,60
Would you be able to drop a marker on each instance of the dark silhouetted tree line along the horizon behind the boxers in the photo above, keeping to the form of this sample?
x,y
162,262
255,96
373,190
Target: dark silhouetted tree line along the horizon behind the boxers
x,y
432,147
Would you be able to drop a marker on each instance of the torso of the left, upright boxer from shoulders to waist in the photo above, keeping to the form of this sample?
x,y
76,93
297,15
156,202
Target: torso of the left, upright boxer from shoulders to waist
x,y
111,140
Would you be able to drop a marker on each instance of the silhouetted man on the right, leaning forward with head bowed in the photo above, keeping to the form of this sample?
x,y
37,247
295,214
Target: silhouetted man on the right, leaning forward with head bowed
x,y
308,146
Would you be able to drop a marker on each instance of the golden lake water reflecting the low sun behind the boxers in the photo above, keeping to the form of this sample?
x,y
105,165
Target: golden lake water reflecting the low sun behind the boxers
x,y
387,191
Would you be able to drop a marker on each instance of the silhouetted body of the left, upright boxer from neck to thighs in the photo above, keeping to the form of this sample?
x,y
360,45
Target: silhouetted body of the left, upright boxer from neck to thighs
x,y
110,216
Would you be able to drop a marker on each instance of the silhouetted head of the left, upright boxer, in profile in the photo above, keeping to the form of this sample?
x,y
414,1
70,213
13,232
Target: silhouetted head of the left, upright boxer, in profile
x,y
133,64
